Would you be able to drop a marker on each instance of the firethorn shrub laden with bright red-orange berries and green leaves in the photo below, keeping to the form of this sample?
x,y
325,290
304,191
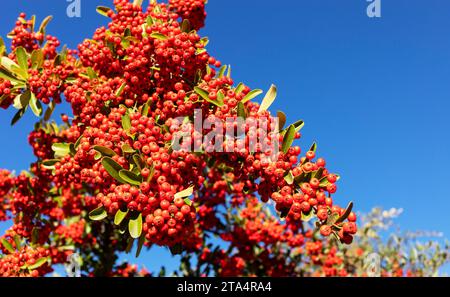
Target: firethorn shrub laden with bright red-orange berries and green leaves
x,y
108,175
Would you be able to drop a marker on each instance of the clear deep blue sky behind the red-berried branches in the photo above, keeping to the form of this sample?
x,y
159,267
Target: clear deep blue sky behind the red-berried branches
x,y
374,93
